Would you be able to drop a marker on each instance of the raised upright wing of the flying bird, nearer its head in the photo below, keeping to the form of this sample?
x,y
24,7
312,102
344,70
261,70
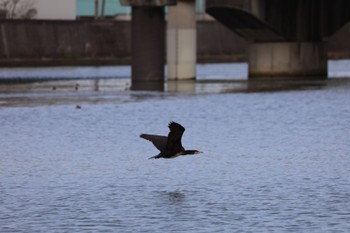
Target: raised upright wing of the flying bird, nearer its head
x,y
174,137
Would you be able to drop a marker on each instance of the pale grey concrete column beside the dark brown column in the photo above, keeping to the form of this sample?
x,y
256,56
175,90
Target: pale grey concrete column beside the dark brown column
x,y
181,40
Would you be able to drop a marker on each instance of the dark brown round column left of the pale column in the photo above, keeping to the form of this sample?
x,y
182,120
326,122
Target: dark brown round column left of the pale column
x,y
148,44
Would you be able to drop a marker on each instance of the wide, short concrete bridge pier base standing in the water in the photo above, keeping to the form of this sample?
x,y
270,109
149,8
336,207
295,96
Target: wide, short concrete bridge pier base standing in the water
x,y
288,59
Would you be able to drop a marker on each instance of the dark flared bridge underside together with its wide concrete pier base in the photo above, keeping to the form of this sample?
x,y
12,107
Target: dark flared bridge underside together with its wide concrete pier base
x,y
287,37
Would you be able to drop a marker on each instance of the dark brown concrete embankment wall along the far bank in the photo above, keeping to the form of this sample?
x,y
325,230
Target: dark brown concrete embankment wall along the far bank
x,y
107,42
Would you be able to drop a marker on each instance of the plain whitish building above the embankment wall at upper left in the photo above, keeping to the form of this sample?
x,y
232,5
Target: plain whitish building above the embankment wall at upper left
x,y
55,9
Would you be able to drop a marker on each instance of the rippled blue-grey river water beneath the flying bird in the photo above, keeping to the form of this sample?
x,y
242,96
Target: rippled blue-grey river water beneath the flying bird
x,y
275,160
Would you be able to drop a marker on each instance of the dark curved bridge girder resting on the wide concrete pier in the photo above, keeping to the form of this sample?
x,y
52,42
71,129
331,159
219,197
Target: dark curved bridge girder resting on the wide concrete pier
x,y
287,20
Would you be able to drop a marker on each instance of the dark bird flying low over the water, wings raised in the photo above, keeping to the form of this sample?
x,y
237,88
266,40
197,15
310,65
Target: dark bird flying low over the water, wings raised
x,y
170,147
